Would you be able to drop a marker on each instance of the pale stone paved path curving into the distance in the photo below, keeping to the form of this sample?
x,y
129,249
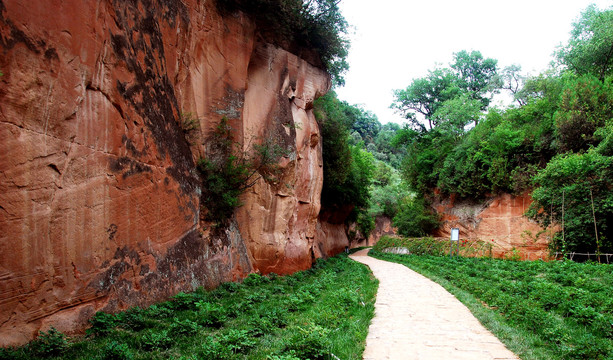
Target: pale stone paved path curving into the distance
x,y
416,319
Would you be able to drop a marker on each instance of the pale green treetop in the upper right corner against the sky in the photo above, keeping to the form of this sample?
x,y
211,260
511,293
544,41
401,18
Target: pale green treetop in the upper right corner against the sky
x,y
590,47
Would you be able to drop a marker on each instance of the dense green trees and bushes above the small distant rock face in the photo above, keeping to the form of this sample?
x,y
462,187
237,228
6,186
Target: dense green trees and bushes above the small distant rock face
x,y
557,142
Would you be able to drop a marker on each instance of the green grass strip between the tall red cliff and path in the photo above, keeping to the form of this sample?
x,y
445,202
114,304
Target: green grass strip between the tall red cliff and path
x,y
311,314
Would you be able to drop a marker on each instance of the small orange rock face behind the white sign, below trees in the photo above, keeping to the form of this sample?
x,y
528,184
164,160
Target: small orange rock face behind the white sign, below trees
x,y
498,220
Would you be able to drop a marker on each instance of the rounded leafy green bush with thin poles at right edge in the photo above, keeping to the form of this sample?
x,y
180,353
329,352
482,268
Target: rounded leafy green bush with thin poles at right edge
x,y
576,179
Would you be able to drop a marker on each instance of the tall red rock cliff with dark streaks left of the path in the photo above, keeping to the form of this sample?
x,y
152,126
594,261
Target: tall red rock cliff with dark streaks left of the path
x,y
99,200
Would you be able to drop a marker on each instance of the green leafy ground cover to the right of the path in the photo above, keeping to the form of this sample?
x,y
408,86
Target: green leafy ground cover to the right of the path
x,y
540,310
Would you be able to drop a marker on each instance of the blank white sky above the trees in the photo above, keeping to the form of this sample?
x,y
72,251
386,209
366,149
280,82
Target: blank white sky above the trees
x,y
396,41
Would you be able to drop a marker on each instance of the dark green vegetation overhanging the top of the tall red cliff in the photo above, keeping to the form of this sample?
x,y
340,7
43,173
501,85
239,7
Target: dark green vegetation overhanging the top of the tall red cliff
x,y
301,26
